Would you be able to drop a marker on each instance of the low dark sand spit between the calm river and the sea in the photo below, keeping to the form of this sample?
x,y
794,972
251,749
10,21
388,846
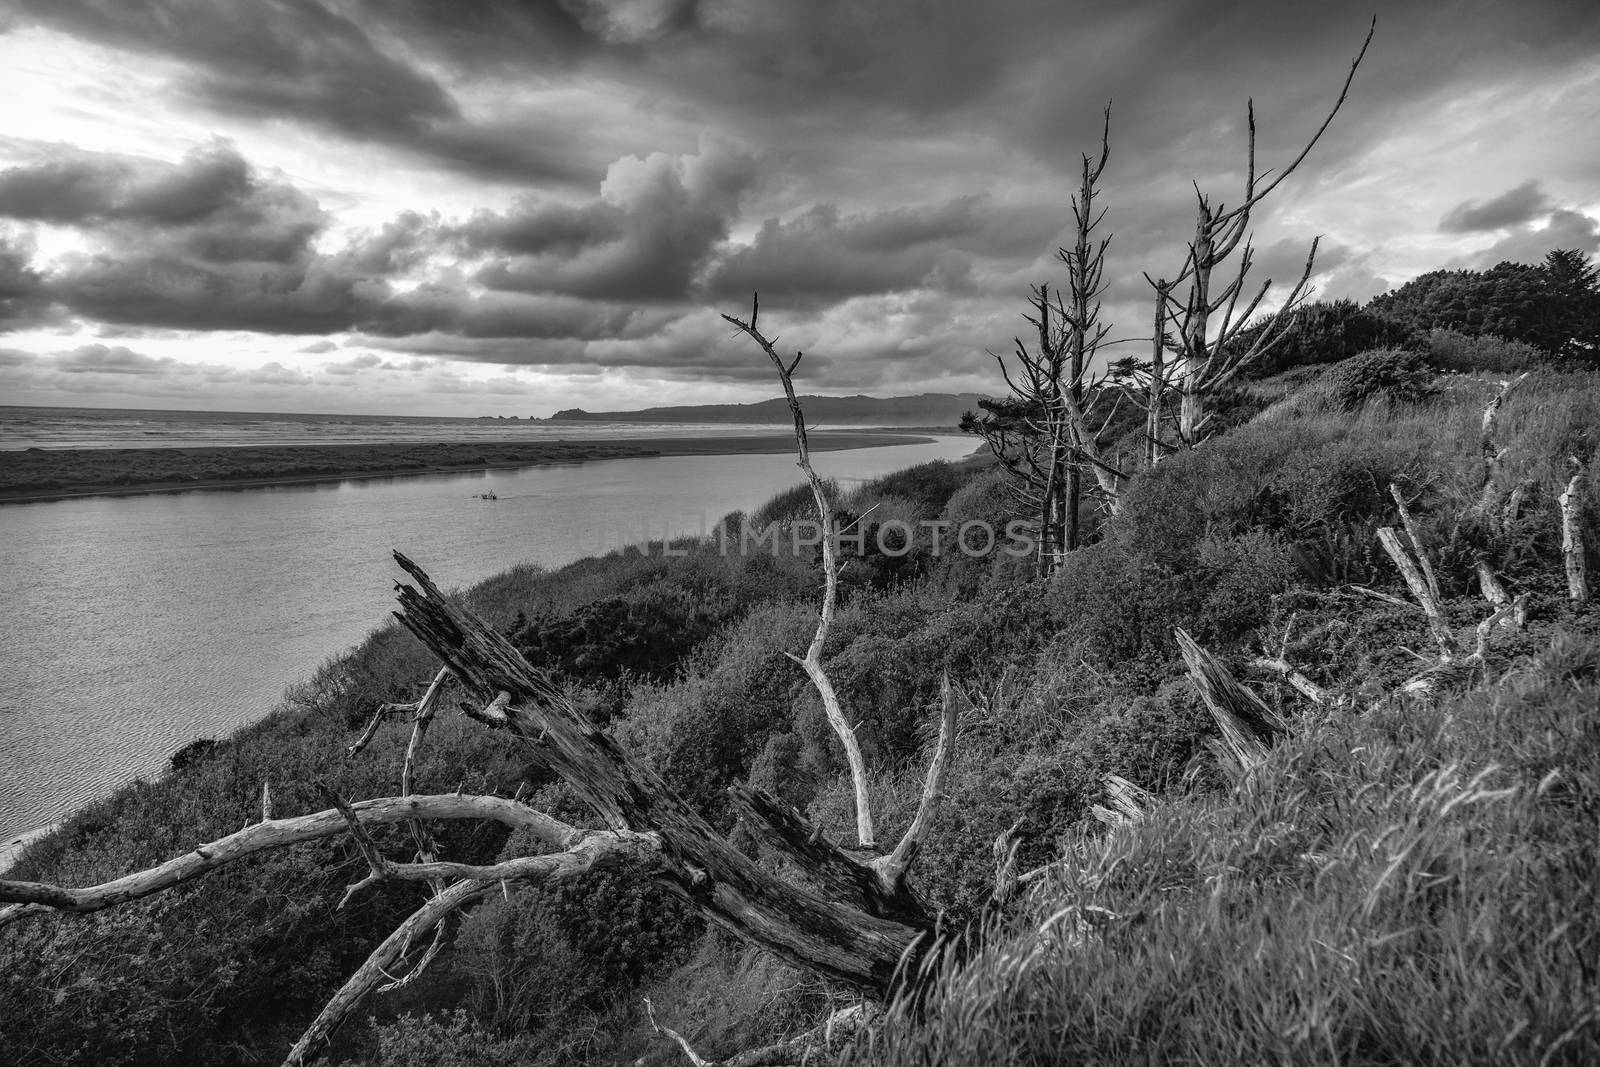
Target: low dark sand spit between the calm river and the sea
x,y
39,476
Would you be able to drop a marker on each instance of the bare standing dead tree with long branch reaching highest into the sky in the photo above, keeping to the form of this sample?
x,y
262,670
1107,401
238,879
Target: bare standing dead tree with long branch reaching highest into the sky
x,y
1209,353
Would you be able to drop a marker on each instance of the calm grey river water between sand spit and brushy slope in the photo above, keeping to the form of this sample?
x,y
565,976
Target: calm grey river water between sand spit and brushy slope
x,y
137,625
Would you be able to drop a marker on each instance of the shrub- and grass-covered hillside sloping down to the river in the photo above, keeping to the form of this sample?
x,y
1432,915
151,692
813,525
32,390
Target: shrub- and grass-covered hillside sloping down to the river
x,y
1410,877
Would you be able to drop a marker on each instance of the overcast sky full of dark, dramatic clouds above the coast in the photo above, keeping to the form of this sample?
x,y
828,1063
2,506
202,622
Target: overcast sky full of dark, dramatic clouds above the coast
x,y
511,207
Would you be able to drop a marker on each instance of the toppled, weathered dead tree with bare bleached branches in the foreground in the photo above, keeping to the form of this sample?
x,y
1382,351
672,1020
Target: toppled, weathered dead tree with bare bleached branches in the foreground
x,y
852,914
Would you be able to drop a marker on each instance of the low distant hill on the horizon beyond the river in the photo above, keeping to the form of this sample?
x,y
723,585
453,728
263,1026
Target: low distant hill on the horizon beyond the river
x,y
922,410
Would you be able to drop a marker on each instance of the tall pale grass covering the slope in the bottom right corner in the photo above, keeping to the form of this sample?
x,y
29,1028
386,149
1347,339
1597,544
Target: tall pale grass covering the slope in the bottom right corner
x,y
1415,885
